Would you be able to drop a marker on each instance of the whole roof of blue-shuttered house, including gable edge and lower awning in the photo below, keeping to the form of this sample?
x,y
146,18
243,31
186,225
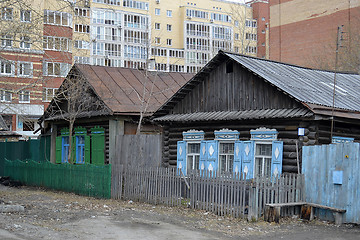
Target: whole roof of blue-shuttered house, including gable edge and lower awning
x,y
312,88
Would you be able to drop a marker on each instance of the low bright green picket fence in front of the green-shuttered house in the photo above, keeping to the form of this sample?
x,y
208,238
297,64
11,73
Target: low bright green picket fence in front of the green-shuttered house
x,y
85,179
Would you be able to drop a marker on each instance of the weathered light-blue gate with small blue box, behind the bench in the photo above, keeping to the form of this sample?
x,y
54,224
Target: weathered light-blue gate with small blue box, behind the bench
x,y
332,178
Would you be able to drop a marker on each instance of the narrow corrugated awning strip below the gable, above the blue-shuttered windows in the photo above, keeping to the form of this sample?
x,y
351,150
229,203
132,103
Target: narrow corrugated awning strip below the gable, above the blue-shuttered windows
x,y
237,115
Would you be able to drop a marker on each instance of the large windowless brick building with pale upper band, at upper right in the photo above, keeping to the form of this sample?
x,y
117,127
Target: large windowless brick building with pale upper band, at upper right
x,y
304,32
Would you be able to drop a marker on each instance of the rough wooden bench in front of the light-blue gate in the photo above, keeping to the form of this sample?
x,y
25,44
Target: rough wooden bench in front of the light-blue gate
x,y
272,211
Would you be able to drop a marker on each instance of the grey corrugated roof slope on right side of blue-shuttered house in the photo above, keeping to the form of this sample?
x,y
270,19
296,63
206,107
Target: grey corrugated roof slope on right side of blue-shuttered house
x,y
307,85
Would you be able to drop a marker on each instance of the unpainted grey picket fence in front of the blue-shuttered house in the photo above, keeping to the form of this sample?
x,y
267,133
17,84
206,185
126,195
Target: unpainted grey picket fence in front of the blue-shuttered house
x,y
223,194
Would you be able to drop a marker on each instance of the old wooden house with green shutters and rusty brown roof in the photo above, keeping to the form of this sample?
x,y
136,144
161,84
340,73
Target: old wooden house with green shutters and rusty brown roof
x,y
104,102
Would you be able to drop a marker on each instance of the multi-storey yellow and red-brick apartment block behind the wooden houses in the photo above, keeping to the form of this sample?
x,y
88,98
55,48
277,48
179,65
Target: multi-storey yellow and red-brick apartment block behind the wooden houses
x,y
40,40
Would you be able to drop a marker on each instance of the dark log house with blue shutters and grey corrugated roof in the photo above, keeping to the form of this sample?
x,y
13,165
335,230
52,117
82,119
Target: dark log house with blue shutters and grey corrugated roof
x,y
250,114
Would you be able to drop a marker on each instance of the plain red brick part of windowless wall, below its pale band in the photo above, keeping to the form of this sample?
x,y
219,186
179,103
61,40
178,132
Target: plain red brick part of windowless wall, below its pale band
x,y
309,42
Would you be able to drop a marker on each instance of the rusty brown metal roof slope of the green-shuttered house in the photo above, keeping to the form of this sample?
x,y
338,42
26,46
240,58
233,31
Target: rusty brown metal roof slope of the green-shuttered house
x,y
120,88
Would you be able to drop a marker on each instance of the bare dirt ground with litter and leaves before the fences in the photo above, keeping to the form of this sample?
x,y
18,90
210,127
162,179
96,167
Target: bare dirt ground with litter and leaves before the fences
x,y
58,215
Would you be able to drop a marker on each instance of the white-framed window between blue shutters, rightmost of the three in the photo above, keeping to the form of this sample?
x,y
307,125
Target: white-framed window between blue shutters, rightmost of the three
x,y
263,156
